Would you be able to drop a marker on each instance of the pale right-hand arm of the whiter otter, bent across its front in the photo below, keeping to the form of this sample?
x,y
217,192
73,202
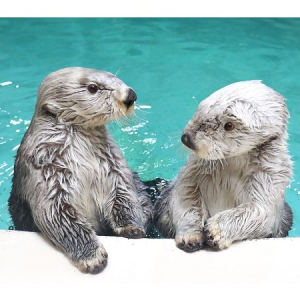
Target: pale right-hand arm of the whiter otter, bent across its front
x,y
258,218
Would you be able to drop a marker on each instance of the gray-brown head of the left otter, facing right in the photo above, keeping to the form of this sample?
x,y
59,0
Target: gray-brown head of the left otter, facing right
x,y
84,97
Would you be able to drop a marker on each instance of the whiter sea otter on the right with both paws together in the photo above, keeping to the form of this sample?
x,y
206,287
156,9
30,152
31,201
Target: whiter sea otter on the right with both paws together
x,y
233,185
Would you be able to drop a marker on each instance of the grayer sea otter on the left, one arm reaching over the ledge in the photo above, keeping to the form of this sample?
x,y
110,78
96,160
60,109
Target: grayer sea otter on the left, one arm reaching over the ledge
x,y
71,180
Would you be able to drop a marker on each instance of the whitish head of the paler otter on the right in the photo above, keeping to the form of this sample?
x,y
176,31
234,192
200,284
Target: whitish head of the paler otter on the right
x,y
235,120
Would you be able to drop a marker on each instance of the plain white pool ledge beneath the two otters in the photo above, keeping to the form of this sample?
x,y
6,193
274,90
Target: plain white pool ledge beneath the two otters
x,y
29,258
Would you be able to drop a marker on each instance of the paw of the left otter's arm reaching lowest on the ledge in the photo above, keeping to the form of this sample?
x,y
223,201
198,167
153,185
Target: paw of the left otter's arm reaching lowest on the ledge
x,y
93,265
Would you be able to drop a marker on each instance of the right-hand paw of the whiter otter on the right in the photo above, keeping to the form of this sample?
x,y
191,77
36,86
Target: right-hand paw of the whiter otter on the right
x,y
214,237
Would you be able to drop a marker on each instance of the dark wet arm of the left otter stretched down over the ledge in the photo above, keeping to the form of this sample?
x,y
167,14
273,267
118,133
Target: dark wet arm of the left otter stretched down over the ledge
x,y
56,218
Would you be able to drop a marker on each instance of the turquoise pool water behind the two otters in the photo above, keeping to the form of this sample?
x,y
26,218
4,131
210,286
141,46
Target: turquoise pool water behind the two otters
x,y
172,64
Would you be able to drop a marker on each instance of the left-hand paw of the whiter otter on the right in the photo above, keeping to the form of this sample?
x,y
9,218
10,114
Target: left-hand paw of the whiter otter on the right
x,y
190,241
